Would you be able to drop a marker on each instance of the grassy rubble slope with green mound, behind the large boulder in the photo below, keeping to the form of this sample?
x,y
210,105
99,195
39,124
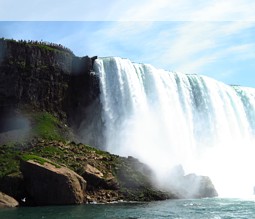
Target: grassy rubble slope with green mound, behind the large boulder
x,y
50,140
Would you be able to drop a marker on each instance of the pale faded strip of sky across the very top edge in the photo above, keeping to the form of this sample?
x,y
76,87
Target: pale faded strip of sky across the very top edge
x,y
132,10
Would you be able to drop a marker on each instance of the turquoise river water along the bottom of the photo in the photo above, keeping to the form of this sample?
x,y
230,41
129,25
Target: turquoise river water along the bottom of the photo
x,y
191,209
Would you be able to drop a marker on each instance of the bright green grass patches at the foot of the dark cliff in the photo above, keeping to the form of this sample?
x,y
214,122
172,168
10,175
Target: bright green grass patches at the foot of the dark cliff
x,y
45,127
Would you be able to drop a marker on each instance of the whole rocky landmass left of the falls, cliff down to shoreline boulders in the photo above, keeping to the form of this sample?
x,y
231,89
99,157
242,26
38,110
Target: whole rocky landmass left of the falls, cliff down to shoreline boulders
x,y
45,91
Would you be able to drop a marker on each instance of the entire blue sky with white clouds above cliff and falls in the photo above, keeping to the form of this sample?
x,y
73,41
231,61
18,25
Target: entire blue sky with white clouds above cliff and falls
x,y
213,38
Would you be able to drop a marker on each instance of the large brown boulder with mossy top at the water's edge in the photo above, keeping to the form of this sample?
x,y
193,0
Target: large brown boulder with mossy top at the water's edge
x,y
50,184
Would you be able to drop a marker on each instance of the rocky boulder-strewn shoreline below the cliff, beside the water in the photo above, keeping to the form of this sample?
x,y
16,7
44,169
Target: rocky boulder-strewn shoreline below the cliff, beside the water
x,y
59,173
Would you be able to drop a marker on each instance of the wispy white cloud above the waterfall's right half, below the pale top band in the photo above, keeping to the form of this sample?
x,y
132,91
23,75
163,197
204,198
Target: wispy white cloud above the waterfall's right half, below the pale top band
x,y
198,44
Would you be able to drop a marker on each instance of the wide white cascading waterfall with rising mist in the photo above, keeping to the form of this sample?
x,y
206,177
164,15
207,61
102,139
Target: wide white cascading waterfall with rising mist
x,y
166,119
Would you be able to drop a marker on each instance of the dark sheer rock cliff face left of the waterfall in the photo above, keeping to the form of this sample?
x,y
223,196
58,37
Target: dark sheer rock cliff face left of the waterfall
x,y
44,78
